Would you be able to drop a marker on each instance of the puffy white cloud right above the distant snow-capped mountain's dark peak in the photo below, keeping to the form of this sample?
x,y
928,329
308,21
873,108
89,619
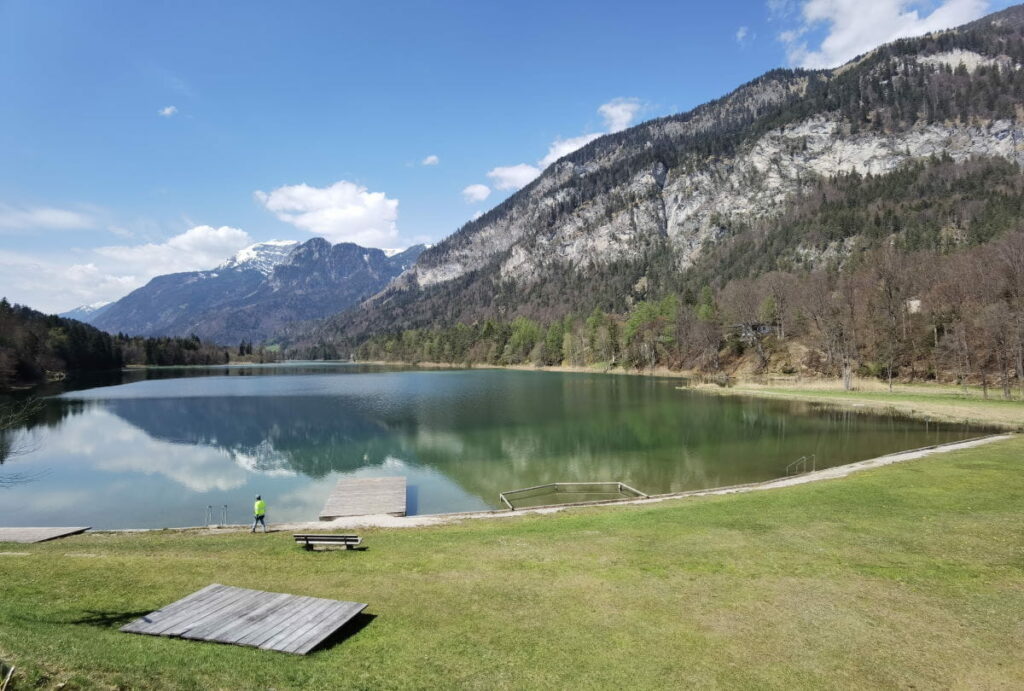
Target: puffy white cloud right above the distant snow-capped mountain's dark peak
x,y
344,212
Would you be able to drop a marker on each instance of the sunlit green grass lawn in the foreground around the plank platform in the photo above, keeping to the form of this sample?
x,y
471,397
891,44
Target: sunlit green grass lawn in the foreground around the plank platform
x,y
907,576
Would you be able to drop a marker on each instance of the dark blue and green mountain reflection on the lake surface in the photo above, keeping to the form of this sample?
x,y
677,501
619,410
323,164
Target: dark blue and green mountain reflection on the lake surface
x,y
495,431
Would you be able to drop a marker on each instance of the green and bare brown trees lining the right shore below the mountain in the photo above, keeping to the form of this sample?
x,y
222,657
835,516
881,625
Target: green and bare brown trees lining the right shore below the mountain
x,y
889,315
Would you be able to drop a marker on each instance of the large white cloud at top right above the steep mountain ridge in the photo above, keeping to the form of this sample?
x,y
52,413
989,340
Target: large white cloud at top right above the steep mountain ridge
x,y
856,27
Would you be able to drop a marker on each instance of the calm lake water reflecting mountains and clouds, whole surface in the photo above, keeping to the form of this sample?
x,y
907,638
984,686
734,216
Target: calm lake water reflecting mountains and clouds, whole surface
x,y
160,451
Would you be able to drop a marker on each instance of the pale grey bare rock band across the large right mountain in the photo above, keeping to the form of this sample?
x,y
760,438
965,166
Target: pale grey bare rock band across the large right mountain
x,y
690,206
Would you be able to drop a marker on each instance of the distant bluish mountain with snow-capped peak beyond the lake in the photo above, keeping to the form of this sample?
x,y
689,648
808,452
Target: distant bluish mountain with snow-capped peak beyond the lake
x,y
258,292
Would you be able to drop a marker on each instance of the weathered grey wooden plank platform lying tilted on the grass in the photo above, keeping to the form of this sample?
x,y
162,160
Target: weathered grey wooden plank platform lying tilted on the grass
x,y
241,617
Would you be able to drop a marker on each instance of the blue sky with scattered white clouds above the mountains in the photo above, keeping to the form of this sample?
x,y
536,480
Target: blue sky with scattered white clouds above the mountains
x,y
140,139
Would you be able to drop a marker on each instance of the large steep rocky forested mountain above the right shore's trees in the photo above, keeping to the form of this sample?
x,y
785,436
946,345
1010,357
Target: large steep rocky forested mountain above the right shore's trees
x,y
711,195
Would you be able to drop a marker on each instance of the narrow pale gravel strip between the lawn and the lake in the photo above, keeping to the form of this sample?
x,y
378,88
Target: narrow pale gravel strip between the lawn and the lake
x,y
386,522
